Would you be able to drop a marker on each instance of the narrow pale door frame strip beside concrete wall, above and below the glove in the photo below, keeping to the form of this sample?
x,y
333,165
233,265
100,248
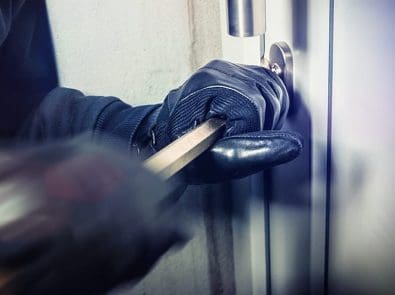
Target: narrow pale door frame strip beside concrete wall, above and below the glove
x,y
248,226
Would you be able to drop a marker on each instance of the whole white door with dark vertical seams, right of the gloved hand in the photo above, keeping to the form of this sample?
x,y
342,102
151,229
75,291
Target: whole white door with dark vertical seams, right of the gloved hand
x,y
329,215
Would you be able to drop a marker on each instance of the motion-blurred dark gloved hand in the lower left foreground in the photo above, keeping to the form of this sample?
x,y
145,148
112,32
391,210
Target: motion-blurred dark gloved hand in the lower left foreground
x,y
81,219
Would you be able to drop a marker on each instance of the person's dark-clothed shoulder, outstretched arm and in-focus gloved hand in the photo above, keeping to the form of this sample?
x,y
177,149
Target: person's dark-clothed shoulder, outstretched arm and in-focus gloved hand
x,y
251,99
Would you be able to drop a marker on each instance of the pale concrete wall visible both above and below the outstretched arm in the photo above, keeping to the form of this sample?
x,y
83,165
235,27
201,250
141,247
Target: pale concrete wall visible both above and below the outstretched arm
x,y
139,50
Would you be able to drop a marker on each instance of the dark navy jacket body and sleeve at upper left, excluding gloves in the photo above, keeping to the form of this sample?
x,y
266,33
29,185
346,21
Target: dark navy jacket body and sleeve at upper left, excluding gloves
x,y
29,107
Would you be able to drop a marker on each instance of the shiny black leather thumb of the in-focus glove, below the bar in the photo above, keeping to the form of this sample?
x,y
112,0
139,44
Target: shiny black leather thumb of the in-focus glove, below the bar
x,y
242,155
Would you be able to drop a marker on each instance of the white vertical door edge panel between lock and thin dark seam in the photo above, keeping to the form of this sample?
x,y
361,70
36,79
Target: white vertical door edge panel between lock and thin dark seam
x,y
298,196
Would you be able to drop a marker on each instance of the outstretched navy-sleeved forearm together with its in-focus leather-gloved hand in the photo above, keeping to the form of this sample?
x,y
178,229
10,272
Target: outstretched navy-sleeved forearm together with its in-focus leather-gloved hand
x,y
252,99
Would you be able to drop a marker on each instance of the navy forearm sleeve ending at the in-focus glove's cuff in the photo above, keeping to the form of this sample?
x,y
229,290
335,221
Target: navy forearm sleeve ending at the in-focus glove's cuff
x,y
66,113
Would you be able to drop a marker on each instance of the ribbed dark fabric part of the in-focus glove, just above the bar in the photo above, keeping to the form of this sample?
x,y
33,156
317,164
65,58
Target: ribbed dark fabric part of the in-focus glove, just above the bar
x,y
239,109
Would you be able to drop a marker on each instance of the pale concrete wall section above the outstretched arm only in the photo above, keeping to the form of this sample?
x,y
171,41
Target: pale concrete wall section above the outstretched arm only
x,y
137,50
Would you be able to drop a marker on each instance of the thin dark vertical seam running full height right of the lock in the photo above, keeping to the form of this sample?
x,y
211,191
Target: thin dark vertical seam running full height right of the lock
x,y
328,189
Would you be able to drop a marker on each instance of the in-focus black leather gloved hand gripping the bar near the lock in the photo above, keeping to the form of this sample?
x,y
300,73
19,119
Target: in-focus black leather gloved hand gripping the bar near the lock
x,y
253,101
